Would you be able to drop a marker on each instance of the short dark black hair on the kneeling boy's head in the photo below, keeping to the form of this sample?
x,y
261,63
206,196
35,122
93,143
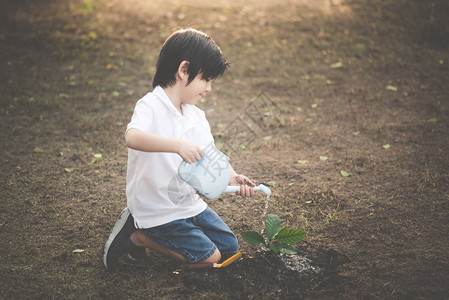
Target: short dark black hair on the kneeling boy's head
x,y
196,47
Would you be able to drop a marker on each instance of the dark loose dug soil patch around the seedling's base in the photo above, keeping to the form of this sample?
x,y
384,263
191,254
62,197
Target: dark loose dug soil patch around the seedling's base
x,y
266,274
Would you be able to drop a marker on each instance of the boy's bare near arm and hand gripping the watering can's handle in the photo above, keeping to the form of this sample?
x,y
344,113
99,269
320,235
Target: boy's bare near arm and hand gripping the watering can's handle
x,y
149,142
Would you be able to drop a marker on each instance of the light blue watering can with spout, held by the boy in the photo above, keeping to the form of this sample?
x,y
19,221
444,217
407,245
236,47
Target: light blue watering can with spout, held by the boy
x,y
210,175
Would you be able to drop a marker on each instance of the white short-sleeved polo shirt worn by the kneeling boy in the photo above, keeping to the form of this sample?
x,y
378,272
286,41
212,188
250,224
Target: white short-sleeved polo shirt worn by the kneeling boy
x,y
155,193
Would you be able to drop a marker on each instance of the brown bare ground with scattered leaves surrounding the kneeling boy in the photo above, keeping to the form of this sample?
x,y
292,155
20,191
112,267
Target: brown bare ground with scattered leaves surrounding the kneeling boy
x,y
315,88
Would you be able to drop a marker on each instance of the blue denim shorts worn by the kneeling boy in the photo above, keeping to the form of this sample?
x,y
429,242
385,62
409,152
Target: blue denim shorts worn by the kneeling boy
x,y
196,238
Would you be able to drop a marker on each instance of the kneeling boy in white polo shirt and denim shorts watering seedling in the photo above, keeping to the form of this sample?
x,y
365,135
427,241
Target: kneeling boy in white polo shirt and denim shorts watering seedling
x,y
166,128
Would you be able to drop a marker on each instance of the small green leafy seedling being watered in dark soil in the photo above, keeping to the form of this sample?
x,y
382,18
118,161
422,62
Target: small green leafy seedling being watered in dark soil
x,y
279,240
